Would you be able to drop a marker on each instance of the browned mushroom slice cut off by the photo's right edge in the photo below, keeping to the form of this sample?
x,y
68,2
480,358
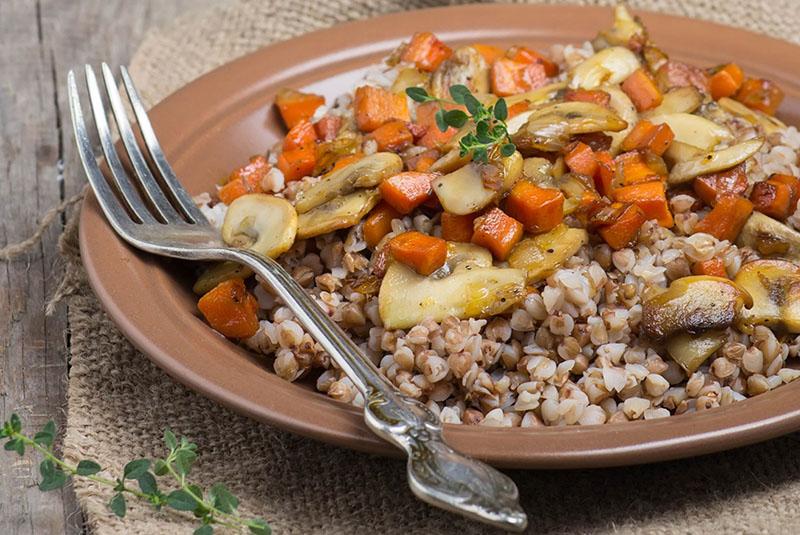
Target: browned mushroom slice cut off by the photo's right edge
x,y
775,288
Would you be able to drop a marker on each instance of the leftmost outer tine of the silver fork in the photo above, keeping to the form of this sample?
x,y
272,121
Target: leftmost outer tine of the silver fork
x,y
111,206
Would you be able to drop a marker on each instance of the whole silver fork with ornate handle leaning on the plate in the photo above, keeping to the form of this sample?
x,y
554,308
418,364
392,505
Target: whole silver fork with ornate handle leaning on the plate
x,y
149,209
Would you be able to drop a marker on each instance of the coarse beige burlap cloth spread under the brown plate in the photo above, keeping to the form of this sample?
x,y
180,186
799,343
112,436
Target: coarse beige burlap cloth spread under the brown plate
x,y
119,402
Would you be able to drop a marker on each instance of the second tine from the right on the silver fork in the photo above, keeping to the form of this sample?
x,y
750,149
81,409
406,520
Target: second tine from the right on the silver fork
x,y
160,202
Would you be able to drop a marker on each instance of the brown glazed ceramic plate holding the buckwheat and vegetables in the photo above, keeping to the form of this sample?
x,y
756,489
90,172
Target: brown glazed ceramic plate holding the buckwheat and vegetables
x,y
218,121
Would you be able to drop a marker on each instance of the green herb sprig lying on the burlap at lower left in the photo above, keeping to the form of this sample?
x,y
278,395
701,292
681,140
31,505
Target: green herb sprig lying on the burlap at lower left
x,y
216,507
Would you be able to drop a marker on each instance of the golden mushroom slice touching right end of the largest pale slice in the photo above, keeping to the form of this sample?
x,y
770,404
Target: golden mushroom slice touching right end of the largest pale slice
x,y
540,255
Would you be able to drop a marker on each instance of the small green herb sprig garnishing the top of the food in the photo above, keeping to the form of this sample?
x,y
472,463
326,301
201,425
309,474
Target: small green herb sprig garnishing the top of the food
x,y
490,126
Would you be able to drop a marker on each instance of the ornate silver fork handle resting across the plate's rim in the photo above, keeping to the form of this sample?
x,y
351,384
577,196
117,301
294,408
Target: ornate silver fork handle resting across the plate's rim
x,y
437,474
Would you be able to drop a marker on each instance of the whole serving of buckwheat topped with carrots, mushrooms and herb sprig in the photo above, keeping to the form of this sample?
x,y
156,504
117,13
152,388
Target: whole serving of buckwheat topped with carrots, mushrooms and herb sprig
x,y
599,233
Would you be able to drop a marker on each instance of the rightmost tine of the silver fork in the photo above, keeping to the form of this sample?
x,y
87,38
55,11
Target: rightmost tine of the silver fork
x,y
179,194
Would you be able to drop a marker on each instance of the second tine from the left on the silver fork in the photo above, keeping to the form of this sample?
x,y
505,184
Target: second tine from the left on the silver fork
x,y
129,194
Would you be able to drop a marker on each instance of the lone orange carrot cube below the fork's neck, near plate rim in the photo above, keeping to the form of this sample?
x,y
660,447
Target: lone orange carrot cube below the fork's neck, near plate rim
x,y
230,309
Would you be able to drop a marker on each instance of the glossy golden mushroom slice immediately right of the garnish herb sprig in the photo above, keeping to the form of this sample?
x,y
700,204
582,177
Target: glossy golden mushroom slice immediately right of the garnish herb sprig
x,y
550,127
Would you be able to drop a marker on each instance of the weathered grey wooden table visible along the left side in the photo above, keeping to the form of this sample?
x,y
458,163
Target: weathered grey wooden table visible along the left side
x,y
40,40
